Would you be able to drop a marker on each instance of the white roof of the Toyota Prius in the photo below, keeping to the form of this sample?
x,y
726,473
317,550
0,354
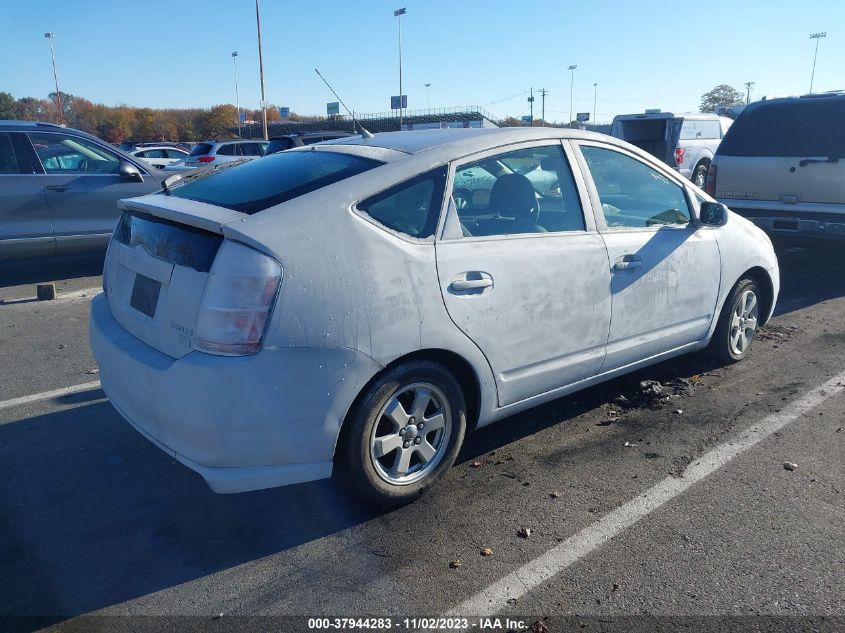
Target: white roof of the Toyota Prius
x,y
460,140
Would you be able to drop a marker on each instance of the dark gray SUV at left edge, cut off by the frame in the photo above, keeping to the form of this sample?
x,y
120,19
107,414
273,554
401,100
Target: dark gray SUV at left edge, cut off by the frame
x,y
59,189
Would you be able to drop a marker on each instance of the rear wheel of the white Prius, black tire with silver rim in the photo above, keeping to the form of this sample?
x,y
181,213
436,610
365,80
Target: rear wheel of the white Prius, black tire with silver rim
x,y
403,433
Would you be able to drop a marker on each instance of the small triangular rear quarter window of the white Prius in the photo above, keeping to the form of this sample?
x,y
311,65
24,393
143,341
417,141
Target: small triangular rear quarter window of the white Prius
x,y
412,207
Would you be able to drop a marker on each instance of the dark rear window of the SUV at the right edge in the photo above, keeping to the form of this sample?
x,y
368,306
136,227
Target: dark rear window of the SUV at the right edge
x,y
799,128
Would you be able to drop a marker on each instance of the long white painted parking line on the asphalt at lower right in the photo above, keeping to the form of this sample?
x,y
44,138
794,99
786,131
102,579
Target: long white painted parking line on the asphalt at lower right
x,y
518,583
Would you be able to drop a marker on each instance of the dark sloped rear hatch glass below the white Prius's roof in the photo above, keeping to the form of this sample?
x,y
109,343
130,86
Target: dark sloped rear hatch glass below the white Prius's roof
x,y
260,184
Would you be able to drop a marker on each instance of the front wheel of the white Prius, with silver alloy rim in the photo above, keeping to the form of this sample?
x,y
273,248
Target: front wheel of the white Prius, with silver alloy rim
x,y
738,323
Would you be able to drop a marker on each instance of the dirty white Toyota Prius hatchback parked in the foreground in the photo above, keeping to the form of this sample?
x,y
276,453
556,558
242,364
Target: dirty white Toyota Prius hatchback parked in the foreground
x,y
331,309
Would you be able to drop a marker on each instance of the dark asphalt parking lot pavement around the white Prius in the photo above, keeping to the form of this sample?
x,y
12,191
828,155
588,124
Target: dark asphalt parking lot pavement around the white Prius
x,y
96,524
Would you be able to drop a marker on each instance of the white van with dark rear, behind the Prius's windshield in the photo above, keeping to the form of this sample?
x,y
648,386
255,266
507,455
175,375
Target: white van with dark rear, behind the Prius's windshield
x,y
686,142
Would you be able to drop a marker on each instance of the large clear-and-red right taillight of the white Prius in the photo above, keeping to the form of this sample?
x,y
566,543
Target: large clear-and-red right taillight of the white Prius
x,y
239,294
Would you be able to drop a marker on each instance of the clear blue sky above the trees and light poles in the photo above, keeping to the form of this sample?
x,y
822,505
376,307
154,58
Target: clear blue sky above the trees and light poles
x,y
642,55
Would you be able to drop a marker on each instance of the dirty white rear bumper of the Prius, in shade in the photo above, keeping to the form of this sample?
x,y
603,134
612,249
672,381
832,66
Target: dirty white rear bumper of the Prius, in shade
x,y
243,423
